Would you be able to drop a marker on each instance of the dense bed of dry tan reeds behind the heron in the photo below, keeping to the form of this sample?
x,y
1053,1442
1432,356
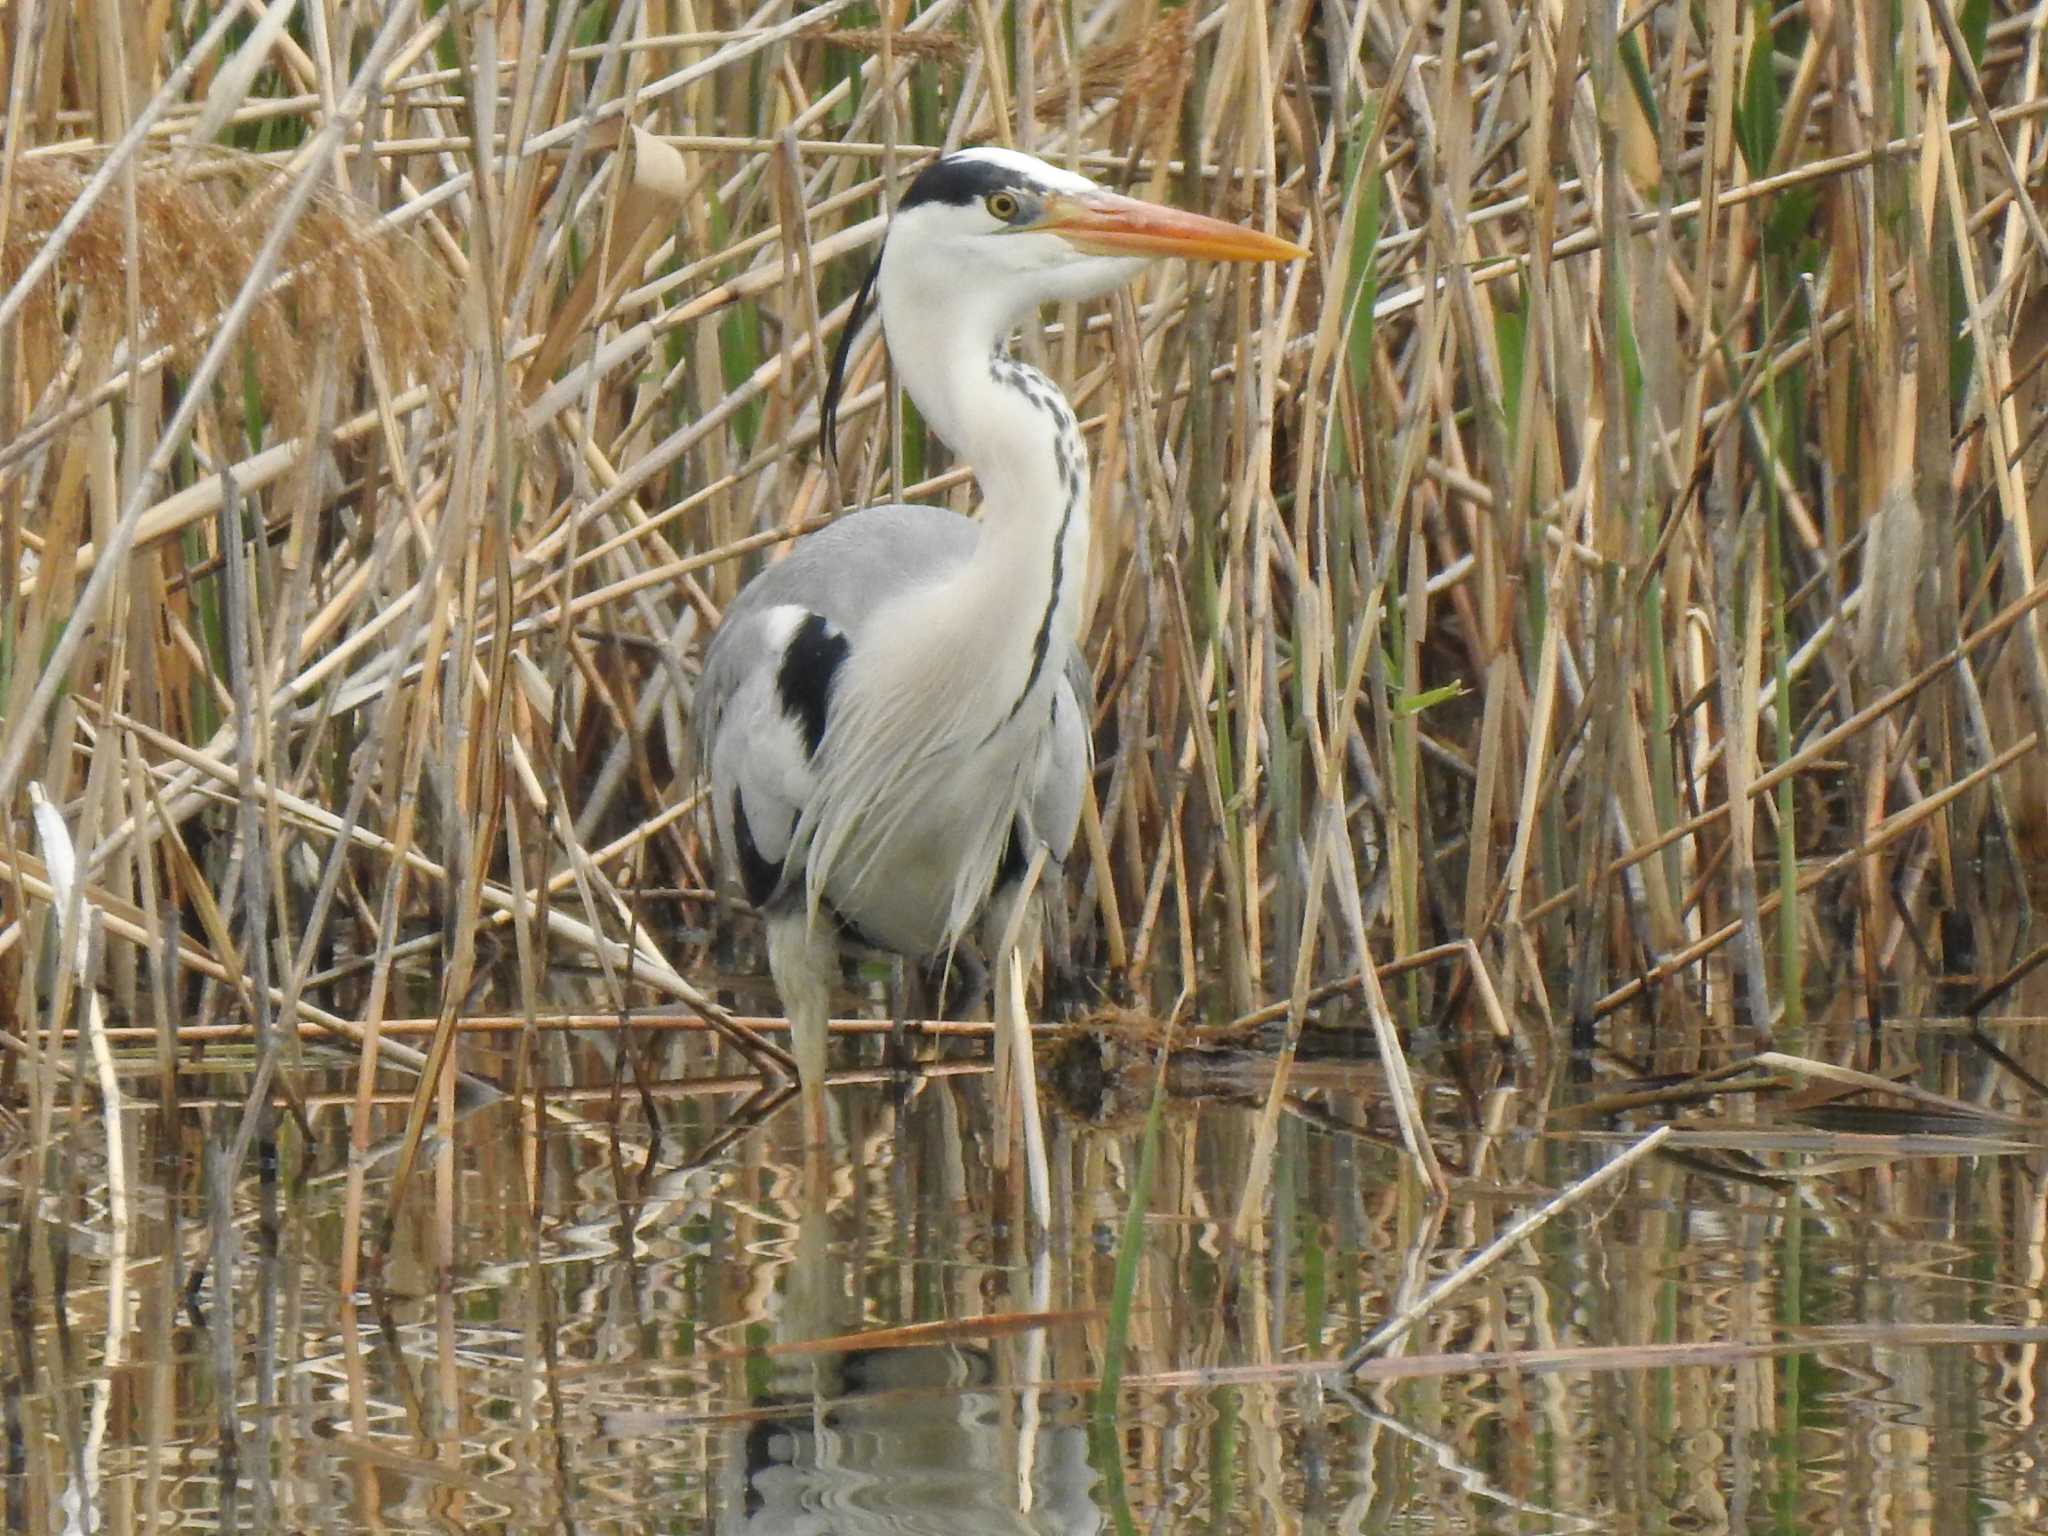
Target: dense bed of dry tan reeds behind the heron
x,y
1611,556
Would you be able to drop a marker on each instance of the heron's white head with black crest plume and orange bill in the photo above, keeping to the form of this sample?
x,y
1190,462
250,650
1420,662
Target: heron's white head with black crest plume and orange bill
x,y
992,234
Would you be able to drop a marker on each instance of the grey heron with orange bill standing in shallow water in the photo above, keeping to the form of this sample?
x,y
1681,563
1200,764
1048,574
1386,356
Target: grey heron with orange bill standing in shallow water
x,y
894,714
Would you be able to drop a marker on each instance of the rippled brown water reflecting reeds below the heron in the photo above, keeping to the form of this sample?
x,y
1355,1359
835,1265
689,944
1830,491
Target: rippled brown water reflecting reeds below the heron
x,y
1781,1324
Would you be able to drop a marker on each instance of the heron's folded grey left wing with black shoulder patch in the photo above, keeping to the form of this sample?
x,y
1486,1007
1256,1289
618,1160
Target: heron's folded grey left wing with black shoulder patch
x,y
769,675
